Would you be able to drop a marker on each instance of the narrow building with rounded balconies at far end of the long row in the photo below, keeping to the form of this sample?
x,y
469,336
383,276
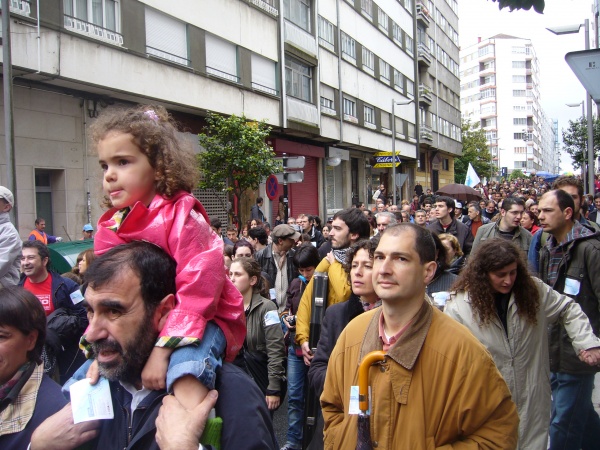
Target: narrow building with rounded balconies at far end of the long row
x,y
439,94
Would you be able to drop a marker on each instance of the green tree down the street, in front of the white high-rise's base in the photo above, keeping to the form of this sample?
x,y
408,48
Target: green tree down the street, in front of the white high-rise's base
x,y
475,151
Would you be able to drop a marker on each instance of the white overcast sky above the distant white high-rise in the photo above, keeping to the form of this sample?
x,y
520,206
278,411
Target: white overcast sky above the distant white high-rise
x,y
481,18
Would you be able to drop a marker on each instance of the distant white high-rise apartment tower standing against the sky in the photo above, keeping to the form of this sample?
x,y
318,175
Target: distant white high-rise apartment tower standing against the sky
x,y
500,90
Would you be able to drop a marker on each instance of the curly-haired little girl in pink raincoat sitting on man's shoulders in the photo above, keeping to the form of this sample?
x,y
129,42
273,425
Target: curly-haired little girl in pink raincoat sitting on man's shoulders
x,y
148,175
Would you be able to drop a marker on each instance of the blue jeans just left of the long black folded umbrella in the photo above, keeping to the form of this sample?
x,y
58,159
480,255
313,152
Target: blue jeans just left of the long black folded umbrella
x,y
297,371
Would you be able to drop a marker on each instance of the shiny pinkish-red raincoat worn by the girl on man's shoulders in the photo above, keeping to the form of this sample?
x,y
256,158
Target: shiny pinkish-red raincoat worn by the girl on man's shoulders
x,y
180,226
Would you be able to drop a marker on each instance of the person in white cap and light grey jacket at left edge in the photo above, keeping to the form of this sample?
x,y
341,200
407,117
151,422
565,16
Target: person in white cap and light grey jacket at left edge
x,y
10,242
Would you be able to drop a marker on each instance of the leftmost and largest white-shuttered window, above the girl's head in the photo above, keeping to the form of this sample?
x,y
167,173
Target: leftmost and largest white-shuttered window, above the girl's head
x,y
166,37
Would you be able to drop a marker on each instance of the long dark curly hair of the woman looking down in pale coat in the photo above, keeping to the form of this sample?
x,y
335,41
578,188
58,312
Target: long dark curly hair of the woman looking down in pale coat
x,y
492,255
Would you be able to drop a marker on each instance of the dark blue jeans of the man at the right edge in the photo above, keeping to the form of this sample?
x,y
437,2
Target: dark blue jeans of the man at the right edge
x,y
574,424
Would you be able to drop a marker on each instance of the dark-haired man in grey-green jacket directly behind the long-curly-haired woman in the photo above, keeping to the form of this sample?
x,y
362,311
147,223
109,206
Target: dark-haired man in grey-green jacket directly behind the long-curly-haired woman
x,y
508,227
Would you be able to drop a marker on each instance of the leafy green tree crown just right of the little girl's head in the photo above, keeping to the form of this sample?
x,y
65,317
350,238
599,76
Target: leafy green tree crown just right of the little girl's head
x,y
236,156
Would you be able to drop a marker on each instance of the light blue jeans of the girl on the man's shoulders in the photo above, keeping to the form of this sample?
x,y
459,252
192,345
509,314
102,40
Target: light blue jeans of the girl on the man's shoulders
x,y
201,361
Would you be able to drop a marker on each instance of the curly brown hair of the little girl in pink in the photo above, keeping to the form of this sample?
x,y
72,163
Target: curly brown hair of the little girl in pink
x,y
155,132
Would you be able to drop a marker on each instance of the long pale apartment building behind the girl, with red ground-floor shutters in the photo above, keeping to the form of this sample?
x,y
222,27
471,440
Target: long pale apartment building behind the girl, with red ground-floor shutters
x,y
322,74
